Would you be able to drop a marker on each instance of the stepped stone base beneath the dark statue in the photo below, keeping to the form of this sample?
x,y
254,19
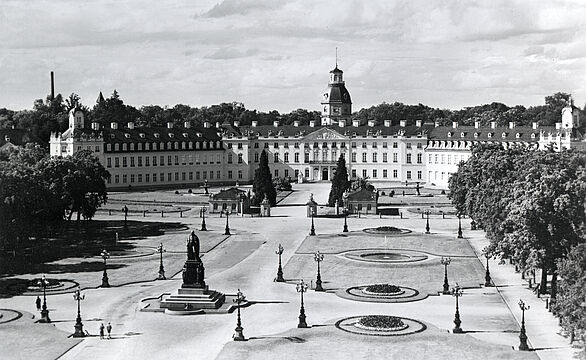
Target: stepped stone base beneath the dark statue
x,y
192,299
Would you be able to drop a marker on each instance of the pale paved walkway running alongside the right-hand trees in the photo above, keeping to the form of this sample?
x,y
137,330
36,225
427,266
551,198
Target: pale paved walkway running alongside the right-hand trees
x,y
543,331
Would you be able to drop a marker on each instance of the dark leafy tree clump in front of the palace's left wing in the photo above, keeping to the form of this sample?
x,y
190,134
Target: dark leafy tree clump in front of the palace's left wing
x,y
38,192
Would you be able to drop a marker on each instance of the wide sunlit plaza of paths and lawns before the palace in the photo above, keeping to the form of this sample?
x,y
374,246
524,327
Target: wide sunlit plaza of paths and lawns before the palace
x,y
246,260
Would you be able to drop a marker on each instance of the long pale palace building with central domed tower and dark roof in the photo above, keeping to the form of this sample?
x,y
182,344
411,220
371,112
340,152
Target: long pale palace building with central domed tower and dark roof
x,y
229,153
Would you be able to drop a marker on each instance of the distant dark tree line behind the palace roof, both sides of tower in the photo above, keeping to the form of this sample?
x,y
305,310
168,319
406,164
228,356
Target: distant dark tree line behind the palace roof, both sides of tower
x,y
51,115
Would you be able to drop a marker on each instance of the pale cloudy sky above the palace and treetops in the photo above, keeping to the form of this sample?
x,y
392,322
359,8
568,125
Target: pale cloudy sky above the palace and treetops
x,y
276,54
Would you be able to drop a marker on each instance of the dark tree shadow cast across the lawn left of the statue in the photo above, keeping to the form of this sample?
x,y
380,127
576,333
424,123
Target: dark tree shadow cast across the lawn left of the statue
x,y
81,241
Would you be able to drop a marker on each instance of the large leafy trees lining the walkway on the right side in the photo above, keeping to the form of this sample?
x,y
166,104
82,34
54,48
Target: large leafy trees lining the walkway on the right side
x,y
531,205
